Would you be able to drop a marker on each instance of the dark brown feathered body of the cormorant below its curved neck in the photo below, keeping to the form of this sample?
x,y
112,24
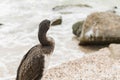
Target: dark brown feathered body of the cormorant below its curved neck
x,y
32,65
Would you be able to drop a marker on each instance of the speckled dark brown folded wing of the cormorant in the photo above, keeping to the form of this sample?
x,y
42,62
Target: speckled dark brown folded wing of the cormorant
x,y
32,65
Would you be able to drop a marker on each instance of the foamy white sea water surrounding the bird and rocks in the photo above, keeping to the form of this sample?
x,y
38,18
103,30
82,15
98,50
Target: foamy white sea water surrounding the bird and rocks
x,y
20,19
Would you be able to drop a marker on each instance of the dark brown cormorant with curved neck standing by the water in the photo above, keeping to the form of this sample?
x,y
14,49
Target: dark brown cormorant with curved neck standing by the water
x,y
33,63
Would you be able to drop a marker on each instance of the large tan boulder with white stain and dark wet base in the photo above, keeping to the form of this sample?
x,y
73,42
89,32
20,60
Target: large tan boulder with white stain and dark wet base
x,y
101,28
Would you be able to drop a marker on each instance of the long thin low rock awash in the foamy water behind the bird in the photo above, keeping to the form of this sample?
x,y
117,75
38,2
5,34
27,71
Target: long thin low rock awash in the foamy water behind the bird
x,y
56,8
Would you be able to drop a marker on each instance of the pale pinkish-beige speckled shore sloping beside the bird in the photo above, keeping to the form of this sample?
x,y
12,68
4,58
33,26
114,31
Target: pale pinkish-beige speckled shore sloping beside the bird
x,y
96,66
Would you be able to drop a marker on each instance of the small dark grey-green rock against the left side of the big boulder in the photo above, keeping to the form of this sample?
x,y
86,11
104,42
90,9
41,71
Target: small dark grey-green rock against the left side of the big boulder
x,y
77,28
